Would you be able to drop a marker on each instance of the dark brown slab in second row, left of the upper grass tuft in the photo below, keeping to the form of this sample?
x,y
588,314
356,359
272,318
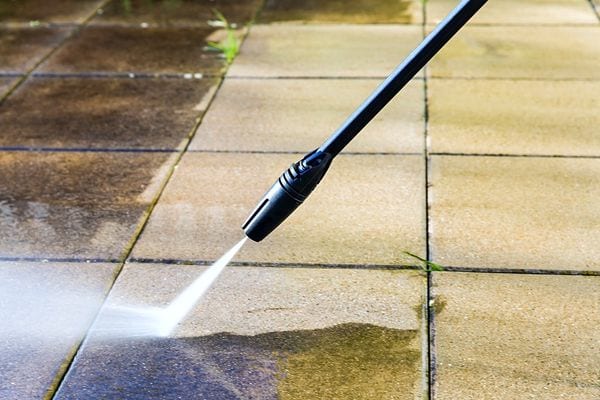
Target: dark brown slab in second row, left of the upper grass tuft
x,y
137,50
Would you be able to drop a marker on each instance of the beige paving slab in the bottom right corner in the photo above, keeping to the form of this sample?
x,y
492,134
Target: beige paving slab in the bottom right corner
x,y
517,336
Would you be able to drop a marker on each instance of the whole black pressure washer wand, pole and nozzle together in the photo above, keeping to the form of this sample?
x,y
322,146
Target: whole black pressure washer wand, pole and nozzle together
x,y
297,182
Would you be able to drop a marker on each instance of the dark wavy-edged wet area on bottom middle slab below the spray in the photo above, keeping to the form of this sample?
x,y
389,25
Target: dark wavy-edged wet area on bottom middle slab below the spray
x,y
348,361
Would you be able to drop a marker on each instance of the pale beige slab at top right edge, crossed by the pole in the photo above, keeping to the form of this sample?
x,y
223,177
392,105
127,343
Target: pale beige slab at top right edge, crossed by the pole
x,y
530,12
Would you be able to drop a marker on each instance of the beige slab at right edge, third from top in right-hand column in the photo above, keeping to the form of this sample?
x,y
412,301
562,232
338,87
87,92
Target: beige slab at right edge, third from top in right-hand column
x,y
514,117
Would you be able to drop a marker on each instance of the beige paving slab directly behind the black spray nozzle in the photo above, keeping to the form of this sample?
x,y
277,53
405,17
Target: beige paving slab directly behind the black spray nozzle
x,y
367,210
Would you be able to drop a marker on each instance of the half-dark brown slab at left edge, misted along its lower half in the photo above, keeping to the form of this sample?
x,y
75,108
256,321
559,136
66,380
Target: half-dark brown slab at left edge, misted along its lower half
x,y
77,205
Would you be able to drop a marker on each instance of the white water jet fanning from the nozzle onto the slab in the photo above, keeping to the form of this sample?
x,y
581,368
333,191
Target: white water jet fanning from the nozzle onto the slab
x,y
154,321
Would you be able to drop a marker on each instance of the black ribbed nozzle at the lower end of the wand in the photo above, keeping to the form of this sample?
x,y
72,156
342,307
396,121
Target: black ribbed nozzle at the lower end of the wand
x,y
288,192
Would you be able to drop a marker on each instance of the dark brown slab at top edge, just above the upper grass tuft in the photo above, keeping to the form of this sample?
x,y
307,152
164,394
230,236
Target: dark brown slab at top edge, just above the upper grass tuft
x,y
175,13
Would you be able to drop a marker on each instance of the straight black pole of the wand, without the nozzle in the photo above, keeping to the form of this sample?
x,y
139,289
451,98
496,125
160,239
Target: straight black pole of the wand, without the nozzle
x,y
401,76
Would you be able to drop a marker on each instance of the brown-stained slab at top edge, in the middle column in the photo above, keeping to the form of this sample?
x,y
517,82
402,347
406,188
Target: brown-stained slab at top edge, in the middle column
x,y
355,12
